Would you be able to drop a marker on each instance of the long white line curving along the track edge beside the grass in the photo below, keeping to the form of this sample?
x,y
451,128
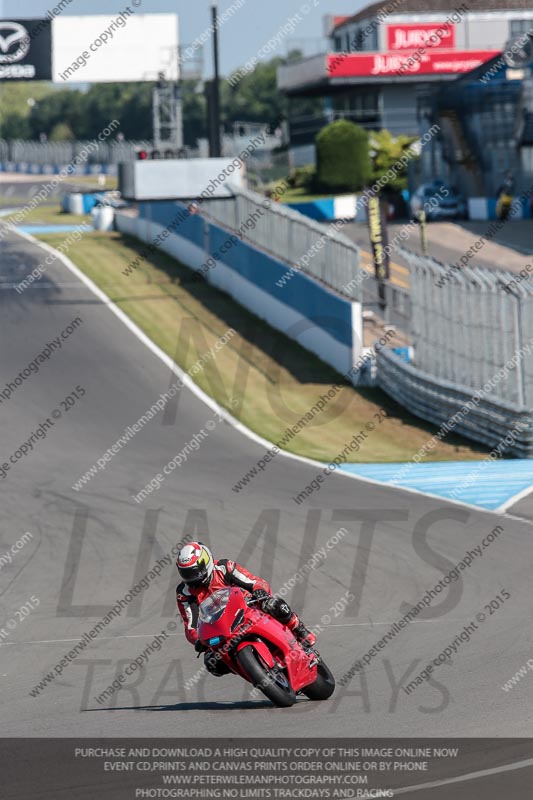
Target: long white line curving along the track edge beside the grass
x,y
209,401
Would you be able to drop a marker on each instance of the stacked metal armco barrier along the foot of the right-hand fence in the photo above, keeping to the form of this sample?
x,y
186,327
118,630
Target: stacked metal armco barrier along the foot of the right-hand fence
x,y
437,402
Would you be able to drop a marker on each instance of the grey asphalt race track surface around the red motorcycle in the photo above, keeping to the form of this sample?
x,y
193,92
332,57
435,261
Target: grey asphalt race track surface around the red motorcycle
x,y
89,547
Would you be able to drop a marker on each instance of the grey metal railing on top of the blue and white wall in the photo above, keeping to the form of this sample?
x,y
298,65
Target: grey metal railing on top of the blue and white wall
x,y
301,243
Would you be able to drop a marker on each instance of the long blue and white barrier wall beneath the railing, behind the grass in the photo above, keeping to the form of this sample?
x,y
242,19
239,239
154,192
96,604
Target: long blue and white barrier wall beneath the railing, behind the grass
x,y
325,323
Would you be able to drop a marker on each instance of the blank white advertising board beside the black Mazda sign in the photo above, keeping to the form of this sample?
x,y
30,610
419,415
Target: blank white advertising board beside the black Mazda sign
x,y
127,46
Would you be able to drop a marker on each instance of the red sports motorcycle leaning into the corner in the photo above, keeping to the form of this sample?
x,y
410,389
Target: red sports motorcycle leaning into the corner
x,y
260,649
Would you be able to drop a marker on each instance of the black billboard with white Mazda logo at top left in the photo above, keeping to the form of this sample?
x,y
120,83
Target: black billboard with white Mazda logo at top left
x,y
25,50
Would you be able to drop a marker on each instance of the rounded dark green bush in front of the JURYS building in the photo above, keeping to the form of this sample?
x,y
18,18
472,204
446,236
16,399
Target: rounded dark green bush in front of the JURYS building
x,y
343,160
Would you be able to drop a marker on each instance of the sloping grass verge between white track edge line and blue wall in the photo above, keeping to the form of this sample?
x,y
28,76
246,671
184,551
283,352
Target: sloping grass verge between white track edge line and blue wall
x,y
276,380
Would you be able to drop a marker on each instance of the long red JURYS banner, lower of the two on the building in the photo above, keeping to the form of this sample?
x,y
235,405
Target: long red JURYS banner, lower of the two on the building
x,y
355,65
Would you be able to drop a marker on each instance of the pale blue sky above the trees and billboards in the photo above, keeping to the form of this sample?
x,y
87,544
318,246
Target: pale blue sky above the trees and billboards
x,y
241,37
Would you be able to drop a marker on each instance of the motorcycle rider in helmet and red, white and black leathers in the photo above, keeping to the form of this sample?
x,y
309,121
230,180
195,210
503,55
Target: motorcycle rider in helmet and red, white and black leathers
x,y
201,575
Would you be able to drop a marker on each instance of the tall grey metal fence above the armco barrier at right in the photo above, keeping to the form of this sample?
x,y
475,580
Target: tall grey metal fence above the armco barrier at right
x,y
467,324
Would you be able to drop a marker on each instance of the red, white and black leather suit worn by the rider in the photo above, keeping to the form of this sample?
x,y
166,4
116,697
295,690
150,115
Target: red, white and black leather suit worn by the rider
x,y
226,573
